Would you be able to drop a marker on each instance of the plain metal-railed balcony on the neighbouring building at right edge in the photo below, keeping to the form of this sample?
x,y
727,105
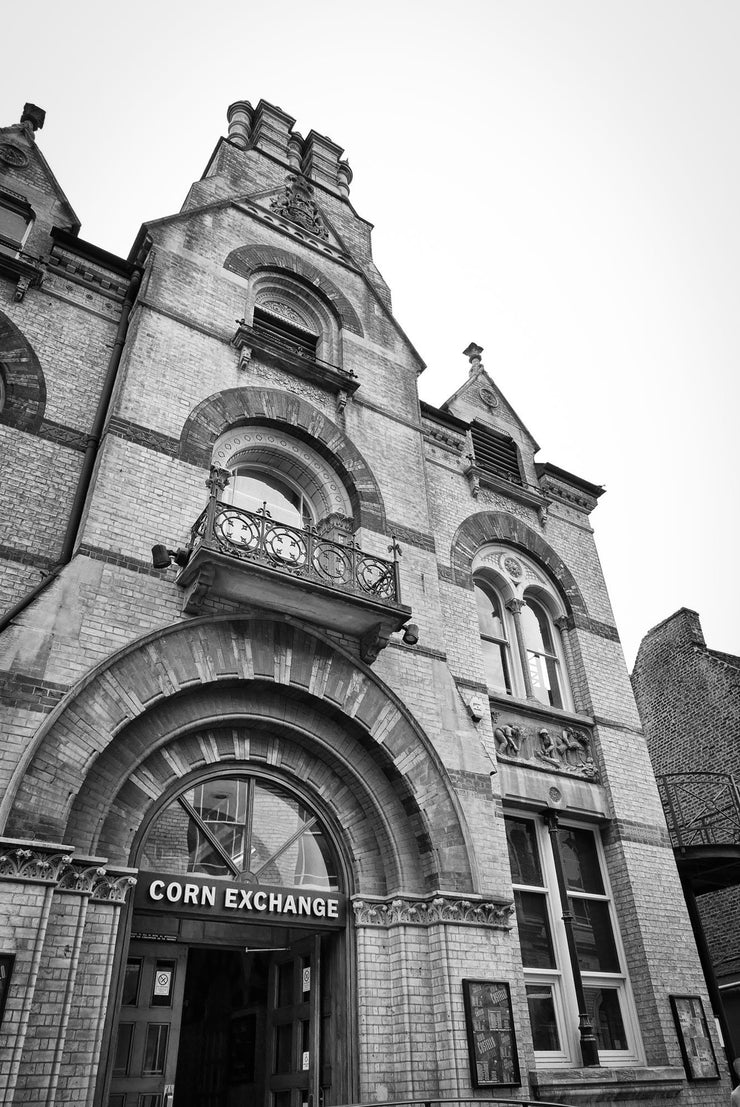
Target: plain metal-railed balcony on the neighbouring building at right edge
x,y
703,813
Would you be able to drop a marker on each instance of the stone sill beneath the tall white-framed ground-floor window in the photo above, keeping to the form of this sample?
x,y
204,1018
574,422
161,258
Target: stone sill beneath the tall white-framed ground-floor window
x,y
609,1085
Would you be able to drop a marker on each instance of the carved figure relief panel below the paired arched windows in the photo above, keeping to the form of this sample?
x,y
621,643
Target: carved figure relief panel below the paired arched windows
x,y
561,749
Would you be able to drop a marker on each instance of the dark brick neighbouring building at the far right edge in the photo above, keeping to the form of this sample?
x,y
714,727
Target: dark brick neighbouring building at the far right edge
x,y
690,701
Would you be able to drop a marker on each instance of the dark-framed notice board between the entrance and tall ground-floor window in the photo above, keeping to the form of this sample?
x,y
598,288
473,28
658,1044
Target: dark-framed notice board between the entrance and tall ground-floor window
x,y
491,1041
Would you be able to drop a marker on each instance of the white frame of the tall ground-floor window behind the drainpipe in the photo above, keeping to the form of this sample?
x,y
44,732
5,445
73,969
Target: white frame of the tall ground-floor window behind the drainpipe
x,y
561,977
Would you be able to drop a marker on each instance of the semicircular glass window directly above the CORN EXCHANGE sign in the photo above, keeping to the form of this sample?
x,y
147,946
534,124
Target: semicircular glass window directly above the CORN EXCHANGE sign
x,y
242,829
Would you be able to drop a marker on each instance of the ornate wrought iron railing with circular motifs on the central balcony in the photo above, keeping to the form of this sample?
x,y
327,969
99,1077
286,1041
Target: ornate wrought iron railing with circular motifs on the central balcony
x,y
258,537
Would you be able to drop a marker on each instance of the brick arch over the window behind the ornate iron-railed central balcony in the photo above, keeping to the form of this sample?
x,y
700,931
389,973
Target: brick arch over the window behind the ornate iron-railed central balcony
x,y
241,407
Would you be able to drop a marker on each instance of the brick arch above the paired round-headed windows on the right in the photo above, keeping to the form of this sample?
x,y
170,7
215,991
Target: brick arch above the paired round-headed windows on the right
x,y
477,531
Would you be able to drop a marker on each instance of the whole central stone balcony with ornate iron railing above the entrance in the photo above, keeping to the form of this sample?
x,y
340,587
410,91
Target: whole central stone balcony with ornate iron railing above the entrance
x,y
251,558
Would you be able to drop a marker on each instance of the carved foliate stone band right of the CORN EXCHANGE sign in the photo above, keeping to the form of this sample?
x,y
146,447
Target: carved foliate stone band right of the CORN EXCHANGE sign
x,y
407,912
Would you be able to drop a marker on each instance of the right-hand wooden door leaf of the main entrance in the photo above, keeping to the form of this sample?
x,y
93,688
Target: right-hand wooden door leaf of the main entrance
x,y
293,1027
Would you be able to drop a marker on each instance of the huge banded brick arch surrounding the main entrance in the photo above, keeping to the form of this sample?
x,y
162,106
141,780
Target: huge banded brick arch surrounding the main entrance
x,y
310,703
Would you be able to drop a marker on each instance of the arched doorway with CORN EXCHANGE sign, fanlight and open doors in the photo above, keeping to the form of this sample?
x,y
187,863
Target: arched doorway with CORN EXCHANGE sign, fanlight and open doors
x,y
233,987
